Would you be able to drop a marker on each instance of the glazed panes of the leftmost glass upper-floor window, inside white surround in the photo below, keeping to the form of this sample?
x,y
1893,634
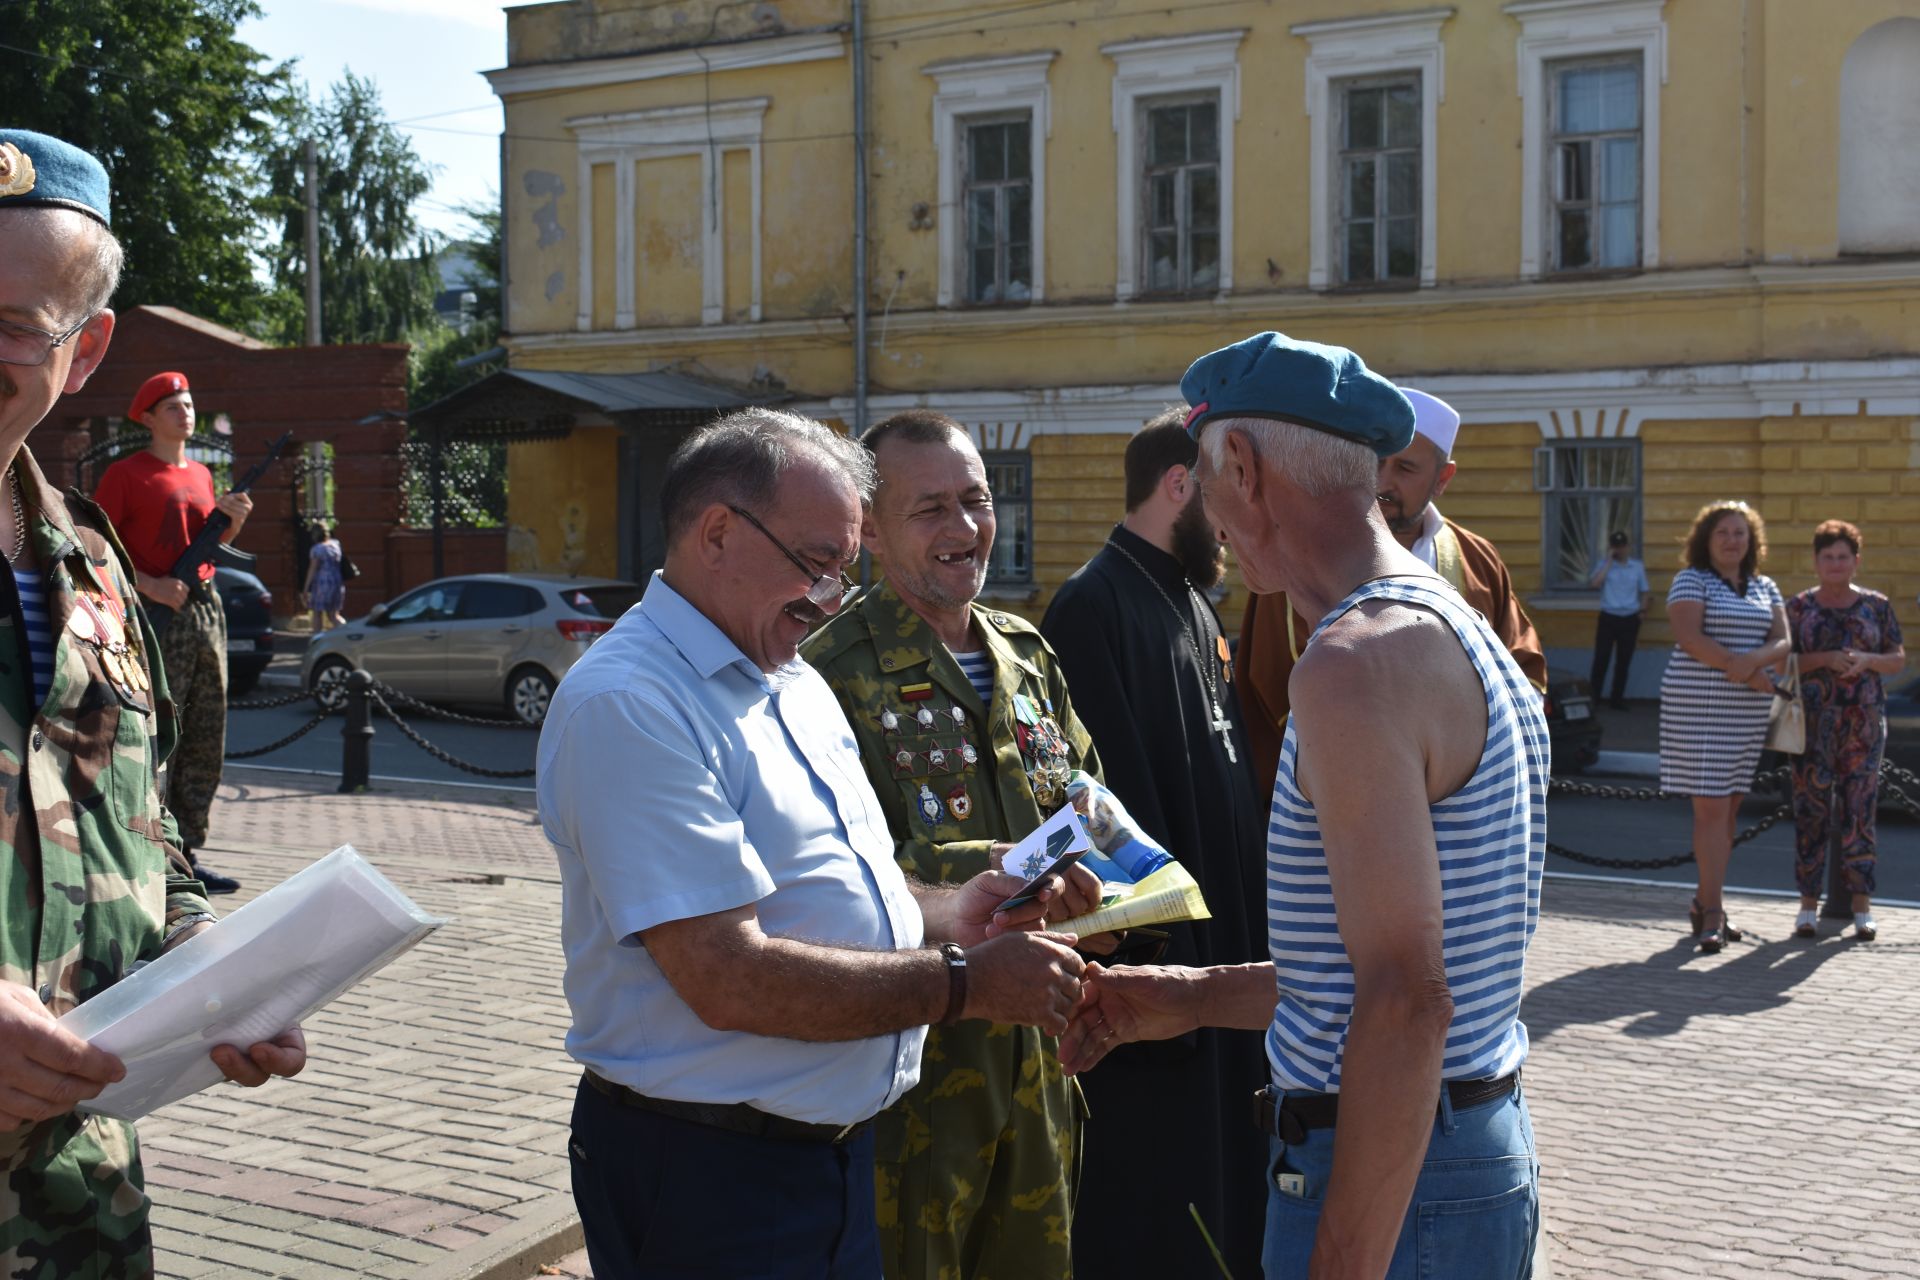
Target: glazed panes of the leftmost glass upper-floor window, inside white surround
x,y
997,195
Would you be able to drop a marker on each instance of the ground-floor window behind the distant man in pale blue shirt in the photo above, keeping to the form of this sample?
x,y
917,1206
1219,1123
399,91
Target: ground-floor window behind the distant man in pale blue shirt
x,y
1591,490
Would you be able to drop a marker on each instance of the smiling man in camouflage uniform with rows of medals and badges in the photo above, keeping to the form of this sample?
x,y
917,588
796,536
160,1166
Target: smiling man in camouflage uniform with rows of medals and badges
x,y
967,732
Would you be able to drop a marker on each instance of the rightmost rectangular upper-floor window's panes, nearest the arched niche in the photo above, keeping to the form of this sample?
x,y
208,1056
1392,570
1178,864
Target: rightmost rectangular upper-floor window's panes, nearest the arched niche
x,y
1596,164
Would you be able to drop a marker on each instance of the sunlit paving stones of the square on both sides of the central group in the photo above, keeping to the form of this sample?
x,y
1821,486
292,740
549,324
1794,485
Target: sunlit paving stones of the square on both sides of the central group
x,y
1737,1116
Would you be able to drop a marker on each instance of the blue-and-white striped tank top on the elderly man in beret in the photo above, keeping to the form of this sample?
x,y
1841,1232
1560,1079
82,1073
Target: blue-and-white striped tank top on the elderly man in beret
x,y
1493,845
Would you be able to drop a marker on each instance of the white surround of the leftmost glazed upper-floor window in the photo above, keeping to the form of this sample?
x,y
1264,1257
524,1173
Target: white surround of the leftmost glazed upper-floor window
x,y
988,87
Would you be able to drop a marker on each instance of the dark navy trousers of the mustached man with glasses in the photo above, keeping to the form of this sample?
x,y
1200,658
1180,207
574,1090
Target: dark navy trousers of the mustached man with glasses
x,y
671,1200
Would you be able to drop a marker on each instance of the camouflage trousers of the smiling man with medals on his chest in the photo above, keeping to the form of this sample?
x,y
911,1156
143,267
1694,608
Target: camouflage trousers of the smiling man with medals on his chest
x,y
978,1166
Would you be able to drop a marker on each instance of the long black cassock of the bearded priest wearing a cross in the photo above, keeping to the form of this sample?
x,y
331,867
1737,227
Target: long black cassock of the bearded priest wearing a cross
x,y
1172,1122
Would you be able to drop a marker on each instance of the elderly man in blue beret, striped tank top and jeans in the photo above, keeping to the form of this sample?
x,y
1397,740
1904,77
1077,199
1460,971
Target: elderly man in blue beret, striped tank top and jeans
x,y
1404,855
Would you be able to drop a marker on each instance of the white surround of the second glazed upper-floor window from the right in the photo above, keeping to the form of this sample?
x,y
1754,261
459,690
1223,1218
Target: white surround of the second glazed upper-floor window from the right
x,y
1364,47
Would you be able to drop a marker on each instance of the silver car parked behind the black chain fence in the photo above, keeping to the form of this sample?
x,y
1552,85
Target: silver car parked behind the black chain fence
x,y
487,640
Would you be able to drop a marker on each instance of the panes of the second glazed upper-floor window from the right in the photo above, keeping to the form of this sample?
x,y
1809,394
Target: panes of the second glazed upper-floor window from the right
x,y
1380,131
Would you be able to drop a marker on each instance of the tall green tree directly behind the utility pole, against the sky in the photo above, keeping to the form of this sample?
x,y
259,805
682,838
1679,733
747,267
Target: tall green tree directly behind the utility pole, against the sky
x,y
377,262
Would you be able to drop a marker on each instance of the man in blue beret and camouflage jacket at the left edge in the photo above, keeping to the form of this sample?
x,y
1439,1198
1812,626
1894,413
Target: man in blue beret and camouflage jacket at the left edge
x,y
95,880
